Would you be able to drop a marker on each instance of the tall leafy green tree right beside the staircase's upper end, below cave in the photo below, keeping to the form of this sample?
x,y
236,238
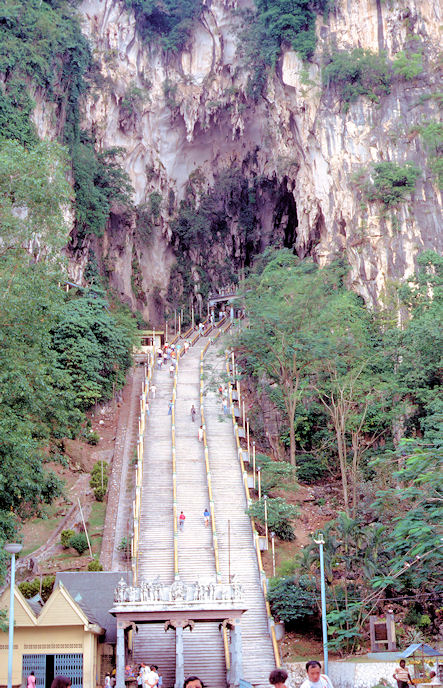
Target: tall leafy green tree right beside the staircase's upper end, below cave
x,y
279,344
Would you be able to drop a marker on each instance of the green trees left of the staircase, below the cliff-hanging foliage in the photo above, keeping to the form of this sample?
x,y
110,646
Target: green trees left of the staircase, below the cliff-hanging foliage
x,y
58,353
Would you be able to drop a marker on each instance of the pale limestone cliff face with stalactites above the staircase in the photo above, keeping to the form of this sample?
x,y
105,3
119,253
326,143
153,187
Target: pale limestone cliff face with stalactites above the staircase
x,y
187,115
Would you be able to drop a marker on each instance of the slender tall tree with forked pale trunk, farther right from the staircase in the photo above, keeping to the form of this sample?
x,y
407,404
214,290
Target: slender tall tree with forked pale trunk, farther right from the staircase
x,y
353,380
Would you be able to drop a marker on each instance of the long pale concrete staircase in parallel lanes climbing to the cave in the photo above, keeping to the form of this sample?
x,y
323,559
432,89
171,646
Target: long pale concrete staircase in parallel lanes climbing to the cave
x,y
203,647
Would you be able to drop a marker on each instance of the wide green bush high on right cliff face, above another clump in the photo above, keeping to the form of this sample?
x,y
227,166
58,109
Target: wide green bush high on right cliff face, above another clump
x,y
357,73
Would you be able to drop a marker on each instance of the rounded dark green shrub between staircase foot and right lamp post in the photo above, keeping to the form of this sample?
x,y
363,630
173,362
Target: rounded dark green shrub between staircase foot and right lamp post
x,y
293,600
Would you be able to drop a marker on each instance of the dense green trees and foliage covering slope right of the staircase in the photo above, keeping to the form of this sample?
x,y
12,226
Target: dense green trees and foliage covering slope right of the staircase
x,y
368,408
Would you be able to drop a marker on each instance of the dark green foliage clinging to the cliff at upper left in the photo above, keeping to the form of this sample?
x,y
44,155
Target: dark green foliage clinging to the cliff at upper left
x,y
41,42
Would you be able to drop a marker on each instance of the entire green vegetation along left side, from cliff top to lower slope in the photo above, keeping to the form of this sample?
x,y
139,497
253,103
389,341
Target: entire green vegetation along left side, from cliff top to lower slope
x,y
60,352
